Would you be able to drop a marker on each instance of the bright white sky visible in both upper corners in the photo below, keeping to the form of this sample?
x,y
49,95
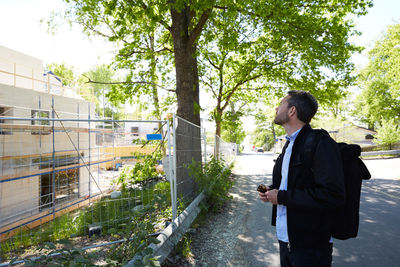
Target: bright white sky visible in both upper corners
x,y
21,30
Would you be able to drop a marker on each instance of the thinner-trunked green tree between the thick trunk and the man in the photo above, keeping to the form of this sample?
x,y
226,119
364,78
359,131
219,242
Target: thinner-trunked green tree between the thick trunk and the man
x,y
297,45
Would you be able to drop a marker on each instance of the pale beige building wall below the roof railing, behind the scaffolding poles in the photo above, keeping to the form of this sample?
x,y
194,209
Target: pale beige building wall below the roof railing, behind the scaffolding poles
x,y
19,149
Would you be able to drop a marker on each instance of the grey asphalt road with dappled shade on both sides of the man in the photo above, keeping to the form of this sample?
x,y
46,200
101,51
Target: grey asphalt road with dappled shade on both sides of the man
x,y
242,235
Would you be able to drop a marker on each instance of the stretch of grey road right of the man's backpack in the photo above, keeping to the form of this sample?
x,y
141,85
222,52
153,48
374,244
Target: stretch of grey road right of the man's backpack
x,y
377,243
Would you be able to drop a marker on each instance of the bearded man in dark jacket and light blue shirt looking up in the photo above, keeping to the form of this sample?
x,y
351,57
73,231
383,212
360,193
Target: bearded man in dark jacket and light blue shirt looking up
x,y
303,198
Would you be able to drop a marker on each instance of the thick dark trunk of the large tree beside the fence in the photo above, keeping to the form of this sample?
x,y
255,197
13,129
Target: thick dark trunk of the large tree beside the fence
x,y
188,143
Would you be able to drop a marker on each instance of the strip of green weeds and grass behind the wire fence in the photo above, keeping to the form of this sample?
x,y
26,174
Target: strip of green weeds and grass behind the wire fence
x,y
114,215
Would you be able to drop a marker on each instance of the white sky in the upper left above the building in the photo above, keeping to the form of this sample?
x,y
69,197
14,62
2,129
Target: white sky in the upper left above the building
x,y
21,30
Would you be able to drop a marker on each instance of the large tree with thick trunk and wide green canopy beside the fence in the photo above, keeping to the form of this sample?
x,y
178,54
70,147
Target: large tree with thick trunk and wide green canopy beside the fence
x,y
294,42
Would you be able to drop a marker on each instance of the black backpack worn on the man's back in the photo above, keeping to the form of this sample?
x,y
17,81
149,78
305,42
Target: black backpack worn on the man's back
x,y
346,218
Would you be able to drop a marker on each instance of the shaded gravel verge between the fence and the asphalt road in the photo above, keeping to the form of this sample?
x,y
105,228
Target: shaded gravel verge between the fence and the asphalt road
x,y
217,242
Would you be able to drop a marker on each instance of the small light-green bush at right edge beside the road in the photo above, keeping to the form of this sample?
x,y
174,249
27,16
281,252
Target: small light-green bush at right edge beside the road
x,y
388,133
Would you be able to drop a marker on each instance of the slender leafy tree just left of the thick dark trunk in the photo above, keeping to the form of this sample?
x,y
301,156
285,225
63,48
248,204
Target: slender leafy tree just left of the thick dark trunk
x,y
149,81
